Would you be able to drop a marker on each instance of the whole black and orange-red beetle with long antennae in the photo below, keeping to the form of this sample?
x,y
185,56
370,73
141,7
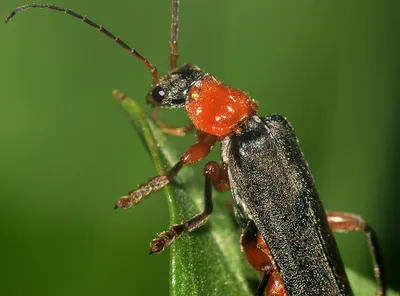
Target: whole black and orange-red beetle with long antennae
x,y
286,233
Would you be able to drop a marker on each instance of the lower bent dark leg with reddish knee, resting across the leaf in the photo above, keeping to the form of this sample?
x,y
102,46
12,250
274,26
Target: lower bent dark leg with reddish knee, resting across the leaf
x,y
167,237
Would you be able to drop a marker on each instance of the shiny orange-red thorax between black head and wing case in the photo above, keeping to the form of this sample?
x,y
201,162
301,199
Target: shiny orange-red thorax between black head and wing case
x,y
217,109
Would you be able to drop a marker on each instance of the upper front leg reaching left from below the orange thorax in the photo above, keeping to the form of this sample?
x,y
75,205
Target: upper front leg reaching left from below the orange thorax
x,y
195,153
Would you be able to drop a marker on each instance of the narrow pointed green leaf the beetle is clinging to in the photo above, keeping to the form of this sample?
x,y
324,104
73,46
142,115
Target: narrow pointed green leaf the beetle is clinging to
x,y
208,261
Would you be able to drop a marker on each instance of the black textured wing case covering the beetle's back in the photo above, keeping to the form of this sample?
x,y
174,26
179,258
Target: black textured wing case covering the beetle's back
x,y
272,186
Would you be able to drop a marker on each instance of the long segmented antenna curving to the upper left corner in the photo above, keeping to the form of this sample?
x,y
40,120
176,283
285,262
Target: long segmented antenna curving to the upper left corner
x,y
153,70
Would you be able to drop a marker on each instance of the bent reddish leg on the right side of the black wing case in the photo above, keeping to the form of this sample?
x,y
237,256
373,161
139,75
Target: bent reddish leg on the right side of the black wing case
x,y
344,222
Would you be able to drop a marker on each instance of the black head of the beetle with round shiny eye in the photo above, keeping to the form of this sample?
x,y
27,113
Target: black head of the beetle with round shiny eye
x,y
171,91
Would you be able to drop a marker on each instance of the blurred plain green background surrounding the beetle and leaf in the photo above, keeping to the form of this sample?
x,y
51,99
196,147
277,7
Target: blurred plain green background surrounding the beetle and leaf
x,y
68,151
